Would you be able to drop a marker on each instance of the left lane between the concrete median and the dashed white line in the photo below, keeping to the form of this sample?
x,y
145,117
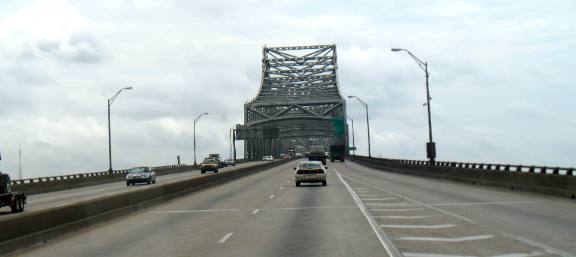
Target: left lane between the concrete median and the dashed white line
x,y
180,227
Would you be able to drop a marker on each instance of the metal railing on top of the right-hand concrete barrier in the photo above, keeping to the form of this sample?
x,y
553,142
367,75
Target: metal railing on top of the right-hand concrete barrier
x,y
483,166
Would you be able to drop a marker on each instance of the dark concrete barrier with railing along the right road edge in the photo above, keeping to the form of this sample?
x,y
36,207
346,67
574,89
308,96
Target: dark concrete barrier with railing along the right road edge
x,y
551,184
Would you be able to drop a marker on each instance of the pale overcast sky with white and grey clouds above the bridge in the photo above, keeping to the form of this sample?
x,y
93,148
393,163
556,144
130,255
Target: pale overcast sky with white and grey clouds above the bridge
x,y
502,77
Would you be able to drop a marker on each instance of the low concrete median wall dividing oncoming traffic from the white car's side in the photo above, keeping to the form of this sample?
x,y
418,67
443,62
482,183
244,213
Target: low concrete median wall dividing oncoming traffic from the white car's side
x,y
31,228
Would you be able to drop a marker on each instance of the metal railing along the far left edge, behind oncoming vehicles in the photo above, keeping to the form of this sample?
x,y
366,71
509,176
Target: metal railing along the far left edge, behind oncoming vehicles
x,y
95,174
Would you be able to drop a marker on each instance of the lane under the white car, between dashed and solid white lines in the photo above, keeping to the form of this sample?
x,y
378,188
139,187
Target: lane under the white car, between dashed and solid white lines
x,y
311,220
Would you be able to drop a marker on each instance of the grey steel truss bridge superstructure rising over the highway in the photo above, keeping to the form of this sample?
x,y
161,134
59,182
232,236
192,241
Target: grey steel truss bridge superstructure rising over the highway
x,y
298,107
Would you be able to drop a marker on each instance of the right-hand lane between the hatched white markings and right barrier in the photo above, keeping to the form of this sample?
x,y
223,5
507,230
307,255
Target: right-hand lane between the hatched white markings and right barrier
x,y
540,221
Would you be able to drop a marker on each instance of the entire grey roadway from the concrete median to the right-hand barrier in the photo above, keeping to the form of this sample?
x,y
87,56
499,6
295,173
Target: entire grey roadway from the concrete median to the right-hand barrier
x,y
362,212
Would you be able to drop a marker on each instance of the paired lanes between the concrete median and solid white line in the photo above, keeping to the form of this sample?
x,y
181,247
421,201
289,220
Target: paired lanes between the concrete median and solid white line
x,y
263,214
